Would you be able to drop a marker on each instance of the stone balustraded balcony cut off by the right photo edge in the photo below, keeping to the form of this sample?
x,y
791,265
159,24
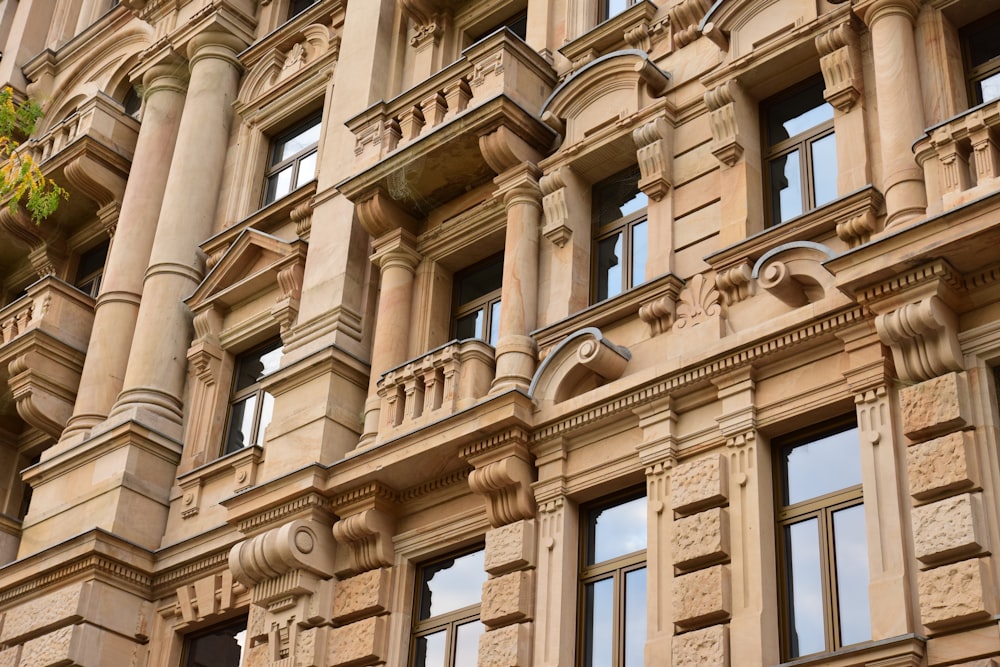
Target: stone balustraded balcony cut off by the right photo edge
x,y
961,157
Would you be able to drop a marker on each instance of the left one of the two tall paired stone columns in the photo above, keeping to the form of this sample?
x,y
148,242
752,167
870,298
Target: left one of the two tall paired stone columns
x,y
118,303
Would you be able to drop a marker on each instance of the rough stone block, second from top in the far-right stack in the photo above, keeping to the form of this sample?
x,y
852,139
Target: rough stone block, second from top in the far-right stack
x,y
941,466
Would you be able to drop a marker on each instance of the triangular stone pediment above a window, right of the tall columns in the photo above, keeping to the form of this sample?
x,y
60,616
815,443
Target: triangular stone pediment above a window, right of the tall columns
x,y
251,265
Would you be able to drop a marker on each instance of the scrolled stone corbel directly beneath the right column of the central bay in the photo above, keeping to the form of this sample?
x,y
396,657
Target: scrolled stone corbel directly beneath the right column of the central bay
x,y
503,473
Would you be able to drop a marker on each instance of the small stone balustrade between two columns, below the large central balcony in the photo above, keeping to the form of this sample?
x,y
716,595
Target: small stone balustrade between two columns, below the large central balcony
x,y
442,382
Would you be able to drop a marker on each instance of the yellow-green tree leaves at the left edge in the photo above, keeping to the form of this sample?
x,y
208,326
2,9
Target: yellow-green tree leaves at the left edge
x,y
21,179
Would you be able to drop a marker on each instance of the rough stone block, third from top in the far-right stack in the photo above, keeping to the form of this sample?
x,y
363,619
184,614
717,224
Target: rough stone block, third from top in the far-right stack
x,y
949,529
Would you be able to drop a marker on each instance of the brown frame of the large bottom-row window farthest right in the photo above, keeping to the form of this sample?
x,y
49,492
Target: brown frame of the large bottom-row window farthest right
x,y
822,508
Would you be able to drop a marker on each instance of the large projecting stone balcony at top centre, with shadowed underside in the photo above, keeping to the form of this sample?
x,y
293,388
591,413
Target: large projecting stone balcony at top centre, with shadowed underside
x,y
422,147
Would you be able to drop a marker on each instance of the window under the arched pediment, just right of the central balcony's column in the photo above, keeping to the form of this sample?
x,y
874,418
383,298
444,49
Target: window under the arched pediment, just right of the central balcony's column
x,y
621,234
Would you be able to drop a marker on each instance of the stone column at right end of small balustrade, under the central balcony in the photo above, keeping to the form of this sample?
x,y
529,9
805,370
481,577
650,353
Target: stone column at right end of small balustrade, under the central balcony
x,y
515,360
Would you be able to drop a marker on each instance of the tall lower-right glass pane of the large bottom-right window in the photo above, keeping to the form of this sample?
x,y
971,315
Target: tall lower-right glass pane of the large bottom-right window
x,y
851,552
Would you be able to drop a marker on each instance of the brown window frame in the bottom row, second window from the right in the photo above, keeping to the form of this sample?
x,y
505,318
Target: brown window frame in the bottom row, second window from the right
x,y
615,568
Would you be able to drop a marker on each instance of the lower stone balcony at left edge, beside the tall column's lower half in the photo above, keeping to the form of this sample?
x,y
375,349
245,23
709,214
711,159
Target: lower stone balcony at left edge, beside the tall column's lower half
x,y
43,340
